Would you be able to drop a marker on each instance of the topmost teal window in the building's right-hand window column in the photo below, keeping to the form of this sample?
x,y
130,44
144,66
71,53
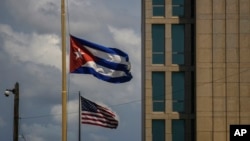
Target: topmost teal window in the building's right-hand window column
x,y
178,8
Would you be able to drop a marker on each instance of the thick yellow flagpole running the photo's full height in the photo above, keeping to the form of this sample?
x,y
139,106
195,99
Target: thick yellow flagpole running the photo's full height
x,y
64,75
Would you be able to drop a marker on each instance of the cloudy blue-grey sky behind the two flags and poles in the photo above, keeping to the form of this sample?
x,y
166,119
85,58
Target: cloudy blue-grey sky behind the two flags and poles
x,y
30,53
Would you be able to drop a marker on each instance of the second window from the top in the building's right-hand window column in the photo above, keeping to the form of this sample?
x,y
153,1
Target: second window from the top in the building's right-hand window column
x,y
178,42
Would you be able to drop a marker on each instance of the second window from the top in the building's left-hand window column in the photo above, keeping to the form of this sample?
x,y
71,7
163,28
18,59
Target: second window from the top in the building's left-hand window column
x,y
158,44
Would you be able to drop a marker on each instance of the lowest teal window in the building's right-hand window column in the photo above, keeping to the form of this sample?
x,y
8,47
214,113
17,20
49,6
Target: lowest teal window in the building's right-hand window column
x,y
178,130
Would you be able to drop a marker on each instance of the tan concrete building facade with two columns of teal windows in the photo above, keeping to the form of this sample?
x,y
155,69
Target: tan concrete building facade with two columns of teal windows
x,y
196,68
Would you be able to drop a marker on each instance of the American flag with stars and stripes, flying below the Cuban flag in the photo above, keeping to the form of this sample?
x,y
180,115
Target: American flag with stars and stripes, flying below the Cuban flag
x,y
92,113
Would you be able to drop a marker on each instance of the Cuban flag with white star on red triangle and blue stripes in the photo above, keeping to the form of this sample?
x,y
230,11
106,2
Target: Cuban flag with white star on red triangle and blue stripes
x,y
108,64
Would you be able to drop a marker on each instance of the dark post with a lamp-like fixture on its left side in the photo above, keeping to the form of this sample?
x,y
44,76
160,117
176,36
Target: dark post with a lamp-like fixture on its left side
x,y
15,91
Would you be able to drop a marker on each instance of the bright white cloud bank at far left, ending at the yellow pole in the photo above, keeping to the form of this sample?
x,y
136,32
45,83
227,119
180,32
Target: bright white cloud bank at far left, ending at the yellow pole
x,y
39,49
